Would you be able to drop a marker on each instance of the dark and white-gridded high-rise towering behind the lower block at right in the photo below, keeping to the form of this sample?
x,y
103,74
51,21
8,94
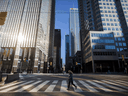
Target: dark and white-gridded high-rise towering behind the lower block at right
x,y
105,15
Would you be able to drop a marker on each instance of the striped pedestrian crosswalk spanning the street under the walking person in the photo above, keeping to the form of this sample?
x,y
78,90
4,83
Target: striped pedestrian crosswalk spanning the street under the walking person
x,y
61,86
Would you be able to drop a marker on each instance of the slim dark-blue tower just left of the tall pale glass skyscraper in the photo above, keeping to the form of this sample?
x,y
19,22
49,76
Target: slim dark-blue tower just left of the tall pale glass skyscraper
x,y
66,49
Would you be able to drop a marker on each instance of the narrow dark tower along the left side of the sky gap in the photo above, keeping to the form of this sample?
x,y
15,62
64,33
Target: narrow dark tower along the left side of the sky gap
x,y
57,50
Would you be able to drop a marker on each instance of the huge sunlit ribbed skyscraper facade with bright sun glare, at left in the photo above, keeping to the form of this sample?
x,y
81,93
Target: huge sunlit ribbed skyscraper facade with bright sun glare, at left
x,y
26,32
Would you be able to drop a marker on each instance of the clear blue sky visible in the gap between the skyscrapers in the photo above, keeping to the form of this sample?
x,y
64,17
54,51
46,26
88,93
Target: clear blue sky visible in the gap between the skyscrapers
x,y
62,20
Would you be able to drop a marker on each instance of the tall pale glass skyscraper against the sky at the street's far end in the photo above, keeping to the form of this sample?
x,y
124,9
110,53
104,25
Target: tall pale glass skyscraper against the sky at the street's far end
x,y
74,36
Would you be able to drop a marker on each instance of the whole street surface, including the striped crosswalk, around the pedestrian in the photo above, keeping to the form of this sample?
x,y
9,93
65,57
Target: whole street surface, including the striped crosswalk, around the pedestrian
x,y
56,85
